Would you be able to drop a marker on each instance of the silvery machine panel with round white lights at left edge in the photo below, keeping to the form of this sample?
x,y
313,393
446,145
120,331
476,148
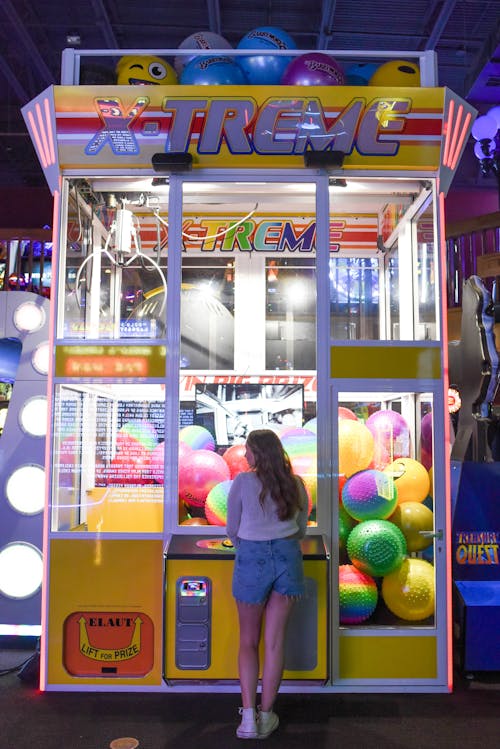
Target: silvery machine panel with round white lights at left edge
x,y
24,358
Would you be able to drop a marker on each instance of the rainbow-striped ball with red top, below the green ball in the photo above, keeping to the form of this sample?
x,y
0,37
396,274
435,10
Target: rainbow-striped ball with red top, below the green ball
x,y
358,595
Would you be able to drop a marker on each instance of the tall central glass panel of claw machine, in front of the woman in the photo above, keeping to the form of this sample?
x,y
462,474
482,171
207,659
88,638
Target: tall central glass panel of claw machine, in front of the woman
x,y
248,308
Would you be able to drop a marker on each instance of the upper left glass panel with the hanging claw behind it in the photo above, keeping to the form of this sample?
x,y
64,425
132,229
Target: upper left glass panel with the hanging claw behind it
x,y
115,263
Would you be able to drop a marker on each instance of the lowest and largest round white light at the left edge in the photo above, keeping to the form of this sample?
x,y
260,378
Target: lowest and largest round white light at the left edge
x,y
21,570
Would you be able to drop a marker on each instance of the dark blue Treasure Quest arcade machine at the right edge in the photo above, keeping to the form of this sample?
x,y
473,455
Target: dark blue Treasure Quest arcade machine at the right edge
x,y
475,372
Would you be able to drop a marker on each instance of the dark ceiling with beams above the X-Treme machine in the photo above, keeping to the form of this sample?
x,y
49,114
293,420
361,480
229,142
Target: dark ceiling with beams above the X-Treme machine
x,y
464,33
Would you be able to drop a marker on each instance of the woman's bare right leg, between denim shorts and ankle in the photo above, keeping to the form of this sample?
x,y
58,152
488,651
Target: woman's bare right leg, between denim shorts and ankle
x,y
278,610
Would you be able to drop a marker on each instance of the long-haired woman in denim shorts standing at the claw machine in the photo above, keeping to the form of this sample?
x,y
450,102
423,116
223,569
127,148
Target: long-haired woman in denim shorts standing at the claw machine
x,y
266,517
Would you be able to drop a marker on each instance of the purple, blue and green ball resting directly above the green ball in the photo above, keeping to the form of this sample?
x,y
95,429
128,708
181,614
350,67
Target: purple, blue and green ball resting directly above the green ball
x,y
370,495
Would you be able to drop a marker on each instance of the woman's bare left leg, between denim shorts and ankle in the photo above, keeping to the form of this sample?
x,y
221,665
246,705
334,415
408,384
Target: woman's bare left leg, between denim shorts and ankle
x,y
250,618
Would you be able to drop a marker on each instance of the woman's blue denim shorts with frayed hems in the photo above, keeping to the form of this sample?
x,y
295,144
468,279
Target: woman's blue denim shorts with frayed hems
x,y
263,566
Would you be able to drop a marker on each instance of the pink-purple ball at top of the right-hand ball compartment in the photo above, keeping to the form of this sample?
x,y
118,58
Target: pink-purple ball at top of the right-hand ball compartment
x,y
392,437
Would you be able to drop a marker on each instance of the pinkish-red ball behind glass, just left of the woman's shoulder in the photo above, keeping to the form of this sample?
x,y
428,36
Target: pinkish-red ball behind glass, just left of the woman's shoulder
x,y
199,472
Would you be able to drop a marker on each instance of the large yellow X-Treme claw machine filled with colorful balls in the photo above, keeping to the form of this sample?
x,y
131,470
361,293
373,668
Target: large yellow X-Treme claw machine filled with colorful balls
x,y
298,230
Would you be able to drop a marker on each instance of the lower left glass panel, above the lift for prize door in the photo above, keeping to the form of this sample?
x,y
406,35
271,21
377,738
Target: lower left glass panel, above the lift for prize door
x,y
108,458
